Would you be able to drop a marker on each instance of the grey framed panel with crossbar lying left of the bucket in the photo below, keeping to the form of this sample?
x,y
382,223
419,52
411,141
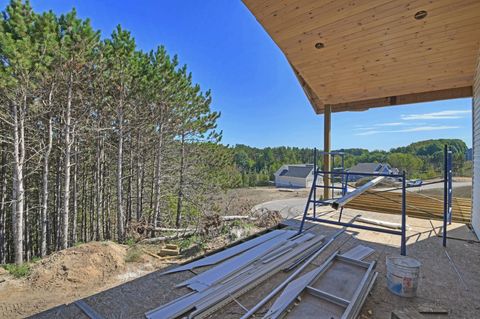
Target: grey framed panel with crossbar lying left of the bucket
x,y
336,289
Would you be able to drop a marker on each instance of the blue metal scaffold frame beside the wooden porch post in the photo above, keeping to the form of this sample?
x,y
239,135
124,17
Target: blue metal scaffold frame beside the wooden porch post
x,y
340,172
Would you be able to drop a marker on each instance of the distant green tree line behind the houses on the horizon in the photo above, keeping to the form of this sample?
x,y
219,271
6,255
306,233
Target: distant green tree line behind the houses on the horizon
x,y
422,159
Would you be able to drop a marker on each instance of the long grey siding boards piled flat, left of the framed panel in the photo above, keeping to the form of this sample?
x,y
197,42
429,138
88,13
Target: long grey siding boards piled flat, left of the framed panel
x,y
234,276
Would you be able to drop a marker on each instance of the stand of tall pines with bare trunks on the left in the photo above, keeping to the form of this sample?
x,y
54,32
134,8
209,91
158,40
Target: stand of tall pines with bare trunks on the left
x,y
97,134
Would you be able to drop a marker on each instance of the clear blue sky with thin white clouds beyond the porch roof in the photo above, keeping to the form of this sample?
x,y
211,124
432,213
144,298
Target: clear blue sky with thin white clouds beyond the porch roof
x,y
253,86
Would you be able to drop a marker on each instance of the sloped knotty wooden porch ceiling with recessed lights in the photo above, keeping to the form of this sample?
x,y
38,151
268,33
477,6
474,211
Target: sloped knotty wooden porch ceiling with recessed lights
x,y
357,54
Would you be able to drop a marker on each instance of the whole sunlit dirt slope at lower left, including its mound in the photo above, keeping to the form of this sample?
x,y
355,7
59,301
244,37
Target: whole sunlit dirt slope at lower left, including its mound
x,y
68,275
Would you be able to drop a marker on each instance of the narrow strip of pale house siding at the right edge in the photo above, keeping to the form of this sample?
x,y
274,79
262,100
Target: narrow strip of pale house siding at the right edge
x,y
476,152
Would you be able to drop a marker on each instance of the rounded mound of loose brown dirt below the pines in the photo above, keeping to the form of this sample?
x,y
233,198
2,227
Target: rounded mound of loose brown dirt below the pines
x,y
82,265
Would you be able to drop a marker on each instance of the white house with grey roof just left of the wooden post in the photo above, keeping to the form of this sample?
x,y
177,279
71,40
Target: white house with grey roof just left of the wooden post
x,y
295,176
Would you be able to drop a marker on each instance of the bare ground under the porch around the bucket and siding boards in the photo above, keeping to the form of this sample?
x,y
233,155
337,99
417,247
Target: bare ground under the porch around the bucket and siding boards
x,y
440,285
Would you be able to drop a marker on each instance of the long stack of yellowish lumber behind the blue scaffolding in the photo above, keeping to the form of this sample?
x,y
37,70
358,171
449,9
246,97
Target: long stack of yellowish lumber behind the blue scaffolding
x,y
419,206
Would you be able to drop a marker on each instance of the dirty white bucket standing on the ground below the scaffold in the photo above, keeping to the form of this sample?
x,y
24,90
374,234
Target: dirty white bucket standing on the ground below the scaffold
x,y
403,274
